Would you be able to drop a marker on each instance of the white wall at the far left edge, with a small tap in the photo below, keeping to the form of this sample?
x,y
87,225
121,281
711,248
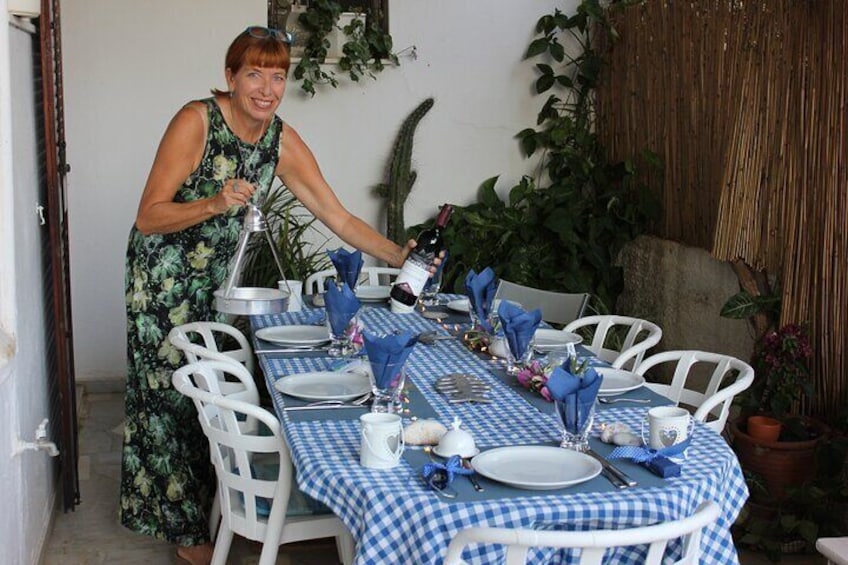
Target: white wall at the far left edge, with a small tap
x,y
28,491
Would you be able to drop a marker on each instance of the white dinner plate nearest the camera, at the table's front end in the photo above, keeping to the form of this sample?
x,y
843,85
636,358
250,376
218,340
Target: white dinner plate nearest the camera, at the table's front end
x,y
536,467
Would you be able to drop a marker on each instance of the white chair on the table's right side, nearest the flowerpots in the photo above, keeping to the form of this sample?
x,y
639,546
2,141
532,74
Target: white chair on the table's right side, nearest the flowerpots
x,y
729,377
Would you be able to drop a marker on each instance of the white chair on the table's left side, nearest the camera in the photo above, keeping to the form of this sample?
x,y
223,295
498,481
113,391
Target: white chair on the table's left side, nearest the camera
x,y
254,470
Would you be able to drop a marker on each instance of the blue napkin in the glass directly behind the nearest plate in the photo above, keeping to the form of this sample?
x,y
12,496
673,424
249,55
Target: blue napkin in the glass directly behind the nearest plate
x,y
574,395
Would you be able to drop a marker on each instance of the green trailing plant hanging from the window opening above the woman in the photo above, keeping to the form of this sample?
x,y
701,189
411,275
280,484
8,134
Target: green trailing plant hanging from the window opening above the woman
x,y
366,48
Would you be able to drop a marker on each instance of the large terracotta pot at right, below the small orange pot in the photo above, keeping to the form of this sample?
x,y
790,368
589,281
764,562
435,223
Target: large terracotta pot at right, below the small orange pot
x,y
783,464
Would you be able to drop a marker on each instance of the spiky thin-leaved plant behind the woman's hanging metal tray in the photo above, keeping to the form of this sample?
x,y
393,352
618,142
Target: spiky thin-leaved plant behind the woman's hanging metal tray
x,y
291,227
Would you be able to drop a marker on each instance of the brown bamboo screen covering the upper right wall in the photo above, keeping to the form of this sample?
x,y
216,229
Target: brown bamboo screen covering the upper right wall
x,y
745,101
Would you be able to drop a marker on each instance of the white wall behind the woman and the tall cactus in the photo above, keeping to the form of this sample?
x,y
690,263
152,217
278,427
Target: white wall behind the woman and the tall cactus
x,y
130,65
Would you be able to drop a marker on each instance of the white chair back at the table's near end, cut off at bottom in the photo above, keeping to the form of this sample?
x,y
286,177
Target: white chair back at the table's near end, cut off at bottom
x,y
594,543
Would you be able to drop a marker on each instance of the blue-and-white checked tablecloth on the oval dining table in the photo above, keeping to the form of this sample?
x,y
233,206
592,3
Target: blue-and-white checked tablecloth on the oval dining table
x,y
395,517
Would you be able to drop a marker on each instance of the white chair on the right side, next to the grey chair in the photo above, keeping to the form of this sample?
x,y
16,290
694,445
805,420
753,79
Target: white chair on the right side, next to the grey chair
x,y
641,336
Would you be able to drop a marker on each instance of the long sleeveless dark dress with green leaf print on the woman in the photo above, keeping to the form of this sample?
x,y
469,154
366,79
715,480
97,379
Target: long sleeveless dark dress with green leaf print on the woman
x,y
167,481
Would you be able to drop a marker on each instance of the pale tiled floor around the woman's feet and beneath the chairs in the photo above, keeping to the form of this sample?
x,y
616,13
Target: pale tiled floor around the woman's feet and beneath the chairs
x,y
91,534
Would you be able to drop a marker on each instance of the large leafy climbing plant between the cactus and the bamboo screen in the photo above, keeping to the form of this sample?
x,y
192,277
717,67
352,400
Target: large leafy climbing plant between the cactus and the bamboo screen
x,y
562,230
